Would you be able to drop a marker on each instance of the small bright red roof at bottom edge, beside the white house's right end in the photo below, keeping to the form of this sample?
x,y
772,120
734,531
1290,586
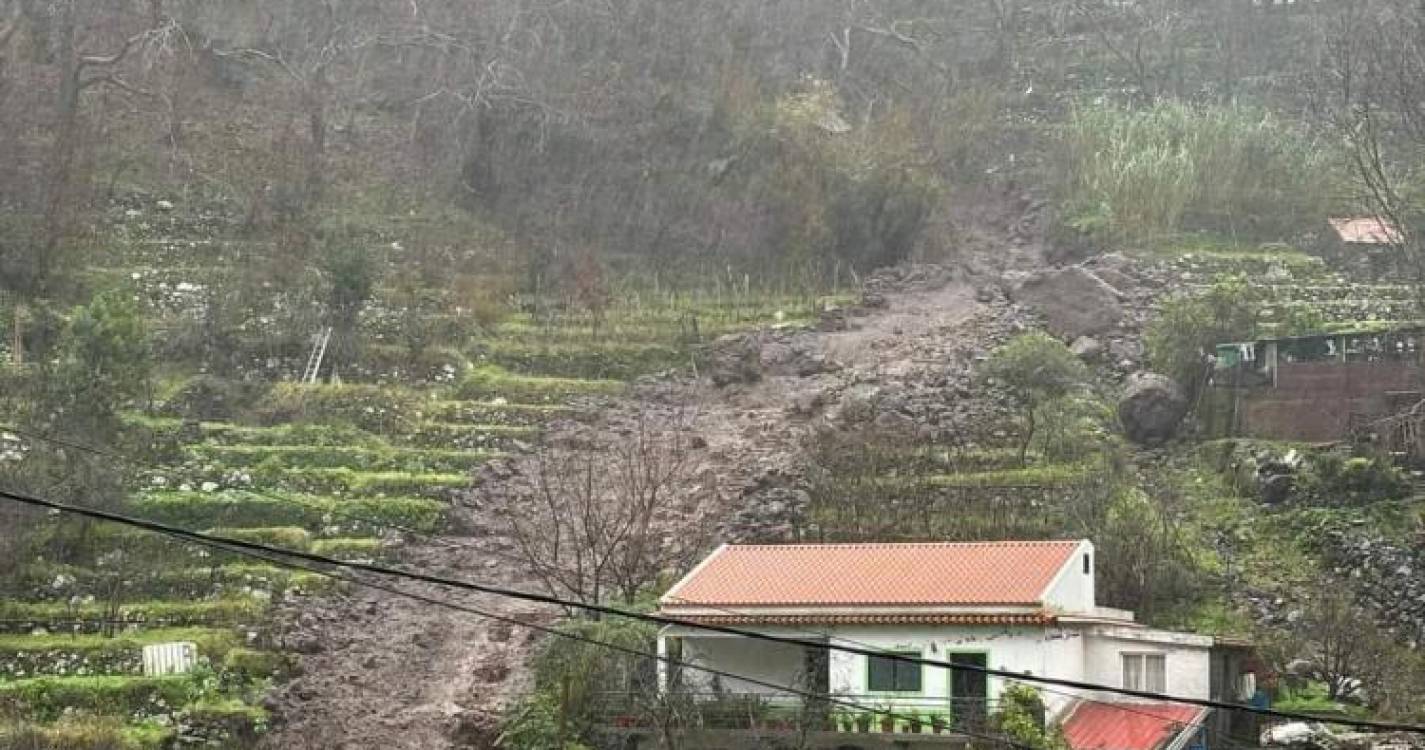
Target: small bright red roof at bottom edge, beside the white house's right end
x,y
1129,726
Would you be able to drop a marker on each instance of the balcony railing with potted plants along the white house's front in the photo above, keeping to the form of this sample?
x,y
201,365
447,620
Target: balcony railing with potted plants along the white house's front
x,y
770,714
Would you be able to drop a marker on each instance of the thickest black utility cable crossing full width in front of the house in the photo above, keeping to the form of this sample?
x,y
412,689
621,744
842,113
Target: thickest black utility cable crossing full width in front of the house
x,y
660,620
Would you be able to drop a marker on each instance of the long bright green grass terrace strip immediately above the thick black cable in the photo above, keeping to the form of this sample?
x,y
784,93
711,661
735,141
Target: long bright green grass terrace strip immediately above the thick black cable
x,y
233,508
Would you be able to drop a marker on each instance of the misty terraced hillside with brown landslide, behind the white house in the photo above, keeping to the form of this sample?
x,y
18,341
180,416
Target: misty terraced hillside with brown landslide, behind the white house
x,y
562,296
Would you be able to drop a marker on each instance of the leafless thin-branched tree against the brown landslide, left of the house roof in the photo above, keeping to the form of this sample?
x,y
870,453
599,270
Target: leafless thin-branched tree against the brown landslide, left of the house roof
x,y
608,523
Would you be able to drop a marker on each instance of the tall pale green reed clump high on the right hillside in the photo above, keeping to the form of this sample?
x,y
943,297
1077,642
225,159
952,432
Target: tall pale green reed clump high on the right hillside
x,y
1131,176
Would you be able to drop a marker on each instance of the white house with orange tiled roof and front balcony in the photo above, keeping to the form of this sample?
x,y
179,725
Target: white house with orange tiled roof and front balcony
x,y
1027,608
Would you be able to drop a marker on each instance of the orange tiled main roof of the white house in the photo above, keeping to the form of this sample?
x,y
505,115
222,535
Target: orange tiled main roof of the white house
x,y
869,575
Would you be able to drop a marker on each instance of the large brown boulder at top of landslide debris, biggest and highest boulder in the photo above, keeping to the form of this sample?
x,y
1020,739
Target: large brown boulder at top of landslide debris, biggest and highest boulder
x,y
1074,302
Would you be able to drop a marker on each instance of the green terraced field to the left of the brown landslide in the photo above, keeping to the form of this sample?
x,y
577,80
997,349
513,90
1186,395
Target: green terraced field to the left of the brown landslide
x,y
350,471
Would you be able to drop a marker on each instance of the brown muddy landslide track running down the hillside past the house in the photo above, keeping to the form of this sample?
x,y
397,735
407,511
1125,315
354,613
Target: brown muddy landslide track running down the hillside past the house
x,y
381,671
